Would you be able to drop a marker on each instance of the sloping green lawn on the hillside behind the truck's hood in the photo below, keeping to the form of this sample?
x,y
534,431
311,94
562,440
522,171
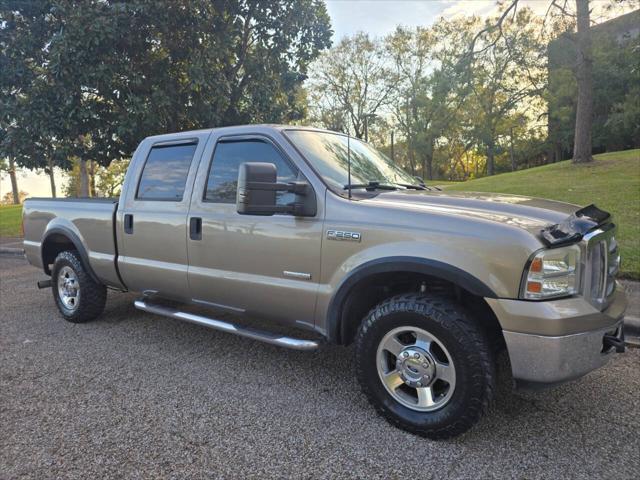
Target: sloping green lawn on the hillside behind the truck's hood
x,y
612,182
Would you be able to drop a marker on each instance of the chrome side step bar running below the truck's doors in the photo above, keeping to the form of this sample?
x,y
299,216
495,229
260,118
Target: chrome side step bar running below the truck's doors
x,y
267,337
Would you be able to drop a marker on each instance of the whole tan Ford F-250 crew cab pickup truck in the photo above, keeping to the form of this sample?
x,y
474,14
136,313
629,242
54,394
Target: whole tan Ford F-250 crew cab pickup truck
x,y
320,231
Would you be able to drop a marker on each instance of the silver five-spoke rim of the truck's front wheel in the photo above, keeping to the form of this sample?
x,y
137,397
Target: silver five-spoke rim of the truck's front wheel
x,y
416,369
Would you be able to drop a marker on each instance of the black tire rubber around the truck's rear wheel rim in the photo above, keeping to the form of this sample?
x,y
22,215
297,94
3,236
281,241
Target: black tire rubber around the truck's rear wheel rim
x,y
92,297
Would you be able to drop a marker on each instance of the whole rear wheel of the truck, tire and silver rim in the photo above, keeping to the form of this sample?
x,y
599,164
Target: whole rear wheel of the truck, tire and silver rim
x,y
78,297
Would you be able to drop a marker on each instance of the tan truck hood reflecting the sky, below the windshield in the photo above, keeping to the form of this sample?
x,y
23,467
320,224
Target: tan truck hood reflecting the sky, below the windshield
x,y
531,214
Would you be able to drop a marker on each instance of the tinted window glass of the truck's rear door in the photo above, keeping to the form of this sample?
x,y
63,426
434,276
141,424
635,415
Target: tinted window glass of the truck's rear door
x,y
164,175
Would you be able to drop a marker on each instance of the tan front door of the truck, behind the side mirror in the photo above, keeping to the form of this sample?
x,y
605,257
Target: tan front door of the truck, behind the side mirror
x,y
264,266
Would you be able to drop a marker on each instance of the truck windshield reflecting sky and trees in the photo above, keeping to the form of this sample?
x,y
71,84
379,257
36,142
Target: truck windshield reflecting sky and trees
x,y
327,152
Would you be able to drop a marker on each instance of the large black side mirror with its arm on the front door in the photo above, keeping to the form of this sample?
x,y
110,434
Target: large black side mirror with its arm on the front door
x,y
257,187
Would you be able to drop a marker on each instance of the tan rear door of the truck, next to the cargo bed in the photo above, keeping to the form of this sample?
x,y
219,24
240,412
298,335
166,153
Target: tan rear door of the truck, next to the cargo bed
x,y
152,218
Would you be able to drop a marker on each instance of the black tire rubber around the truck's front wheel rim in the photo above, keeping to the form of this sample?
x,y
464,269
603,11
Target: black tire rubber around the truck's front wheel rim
x,y
466,343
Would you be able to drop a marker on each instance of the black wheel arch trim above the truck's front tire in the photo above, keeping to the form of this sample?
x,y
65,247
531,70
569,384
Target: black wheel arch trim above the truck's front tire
x,y
354,289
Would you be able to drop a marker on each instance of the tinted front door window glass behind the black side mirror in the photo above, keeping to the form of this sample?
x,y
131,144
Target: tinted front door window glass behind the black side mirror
x,y
223,176
